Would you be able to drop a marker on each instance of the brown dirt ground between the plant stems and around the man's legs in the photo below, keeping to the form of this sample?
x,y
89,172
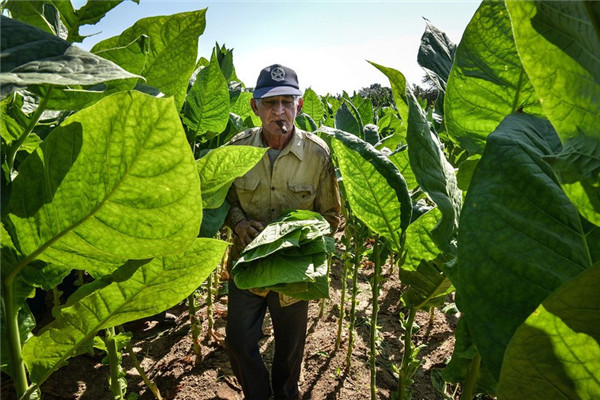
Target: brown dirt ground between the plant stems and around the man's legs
x,y
166,353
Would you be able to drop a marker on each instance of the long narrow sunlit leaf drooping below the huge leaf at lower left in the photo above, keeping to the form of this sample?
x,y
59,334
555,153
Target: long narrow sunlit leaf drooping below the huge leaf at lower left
x,y
153,287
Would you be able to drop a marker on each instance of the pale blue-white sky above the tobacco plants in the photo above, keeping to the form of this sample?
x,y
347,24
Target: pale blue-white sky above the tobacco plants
x,y
326,42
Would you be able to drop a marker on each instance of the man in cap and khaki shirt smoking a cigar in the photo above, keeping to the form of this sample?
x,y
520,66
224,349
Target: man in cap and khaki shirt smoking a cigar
x,y
295,173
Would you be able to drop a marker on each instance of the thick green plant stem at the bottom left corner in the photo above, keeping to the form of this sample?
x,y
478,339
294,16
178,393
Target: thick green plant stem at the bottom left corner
x,y
14,339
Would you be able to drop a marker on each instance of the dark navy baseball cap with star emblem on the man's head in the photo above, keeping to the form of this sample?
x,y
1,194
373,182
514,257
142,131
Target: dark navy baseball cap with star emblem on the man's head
x,y
277,80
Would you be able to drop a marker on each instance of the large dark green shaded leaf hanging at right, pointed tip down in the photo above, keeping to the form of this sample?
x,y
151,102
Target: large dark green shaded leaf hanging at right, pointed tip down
x,y
519,236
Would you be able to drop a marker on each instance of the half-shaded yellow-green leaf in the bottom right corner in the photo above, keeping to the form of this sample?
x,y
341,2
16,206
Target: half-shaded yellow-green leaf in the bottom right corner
x,y
555,354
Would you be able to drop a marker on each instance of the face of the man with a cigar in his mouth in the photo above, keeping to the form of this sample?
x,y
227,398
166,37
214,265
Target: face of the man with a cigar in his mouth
x,y
277,108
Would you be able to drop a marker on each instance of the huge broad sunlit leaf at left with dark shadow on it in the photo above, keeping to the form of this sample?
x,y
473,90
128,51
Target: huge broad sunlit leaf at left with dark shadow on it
x,y
115,181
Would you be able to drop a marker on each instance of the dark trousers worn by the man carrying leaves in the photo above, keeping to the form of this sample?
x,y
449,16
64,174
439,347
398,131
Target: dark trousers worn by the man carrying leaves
x,y
245,315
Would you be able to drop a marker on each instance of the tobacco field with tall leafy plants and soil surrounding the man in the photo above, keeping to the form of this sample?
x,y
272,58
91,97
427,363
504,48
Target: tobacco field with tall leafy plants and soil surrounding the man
x,y
468,263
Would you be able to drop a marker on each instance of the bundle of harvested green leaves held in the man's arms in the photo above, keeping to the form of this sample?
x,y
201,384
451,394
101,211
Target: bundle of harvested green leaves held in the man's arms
x,y
289,256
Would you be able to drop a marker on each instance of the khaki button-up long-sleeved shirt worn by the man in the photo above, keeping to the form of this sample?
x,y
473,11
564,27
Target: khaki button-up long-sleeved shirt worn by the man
x,y
302,177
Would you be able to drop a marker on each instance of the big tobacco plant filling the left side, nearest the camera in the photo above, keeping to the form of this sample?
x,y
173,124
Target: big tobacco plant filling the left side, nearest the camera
x,y
109,185
